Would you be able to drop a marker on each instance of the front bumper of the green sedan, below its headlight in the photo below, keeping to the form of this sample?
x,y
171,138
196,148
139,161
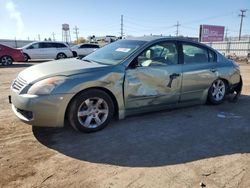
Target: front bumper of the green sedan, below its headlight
x,y
42,111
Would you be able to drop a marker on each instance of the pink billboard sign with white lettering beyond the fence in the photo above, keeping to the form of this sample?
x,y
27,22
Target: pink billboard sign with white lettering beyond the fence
x,y
211,33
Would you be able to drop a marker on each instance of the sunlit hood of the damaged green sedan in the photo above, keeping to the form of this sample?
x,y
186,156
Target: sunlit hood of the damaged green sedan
x,y
63,67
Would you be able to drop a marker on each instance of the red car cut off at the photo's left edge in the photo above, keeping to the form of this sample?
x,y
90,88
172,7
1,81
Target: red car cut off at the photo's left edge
x,y
8,55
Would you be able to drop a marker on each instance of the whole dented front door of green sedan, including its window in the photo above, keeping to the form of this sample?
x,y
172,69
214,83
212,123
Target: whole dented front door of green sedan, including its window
x,y
154,77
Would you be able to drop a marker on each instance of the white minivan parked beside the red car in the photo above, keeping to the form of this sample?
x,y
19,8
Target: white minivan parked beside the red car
x,y
46,50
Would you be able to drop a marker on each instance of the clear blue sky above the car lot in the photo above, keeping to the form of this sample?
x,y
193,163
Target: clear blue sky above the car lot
x,y
26,19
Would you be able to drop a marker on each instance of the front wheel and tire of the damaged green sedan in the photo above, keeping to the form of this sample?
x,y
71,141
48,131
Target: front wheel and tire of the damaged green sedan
x,y
90,111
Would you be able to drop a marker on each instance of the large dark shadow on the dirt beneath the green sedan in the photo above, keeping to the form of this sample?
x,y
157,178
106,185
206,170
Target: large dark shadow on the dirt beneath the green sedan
x,y
162,138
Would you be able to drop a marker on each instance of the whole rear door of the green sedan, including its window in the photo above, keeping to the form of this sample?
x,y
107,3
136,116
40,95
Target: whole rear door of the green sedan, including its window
x,y
199,71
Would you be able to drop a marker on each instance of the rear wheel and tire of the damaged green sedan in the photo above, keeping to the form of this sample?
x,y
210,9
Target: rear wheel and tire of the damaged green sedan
x,y
217,92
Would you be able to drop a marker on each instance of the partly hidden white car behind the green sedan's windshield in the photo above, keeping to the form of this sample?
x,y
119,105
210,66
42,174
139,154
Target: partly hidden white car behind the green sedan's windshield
x,y
84,49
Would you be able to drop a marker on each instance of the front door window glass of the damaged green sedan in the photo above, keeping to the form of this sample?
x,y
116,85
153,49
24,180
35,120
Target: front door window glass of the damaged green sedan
x,y
160,54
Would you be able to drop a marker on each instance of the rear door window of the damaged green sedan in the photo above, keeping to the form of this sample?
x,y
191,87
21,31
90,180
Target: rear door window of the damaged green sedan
x,y
195,54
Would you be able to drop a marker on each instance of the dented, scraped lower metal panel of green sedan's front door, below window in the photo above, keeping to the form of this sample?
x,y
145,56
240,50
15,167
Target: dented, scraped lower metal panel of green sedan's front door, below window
x,y
151,86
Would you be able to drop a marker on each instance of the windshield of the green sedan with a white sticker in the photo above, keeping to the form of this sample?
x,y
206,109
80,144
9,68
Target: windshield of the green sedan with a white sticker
x,y
114,53
